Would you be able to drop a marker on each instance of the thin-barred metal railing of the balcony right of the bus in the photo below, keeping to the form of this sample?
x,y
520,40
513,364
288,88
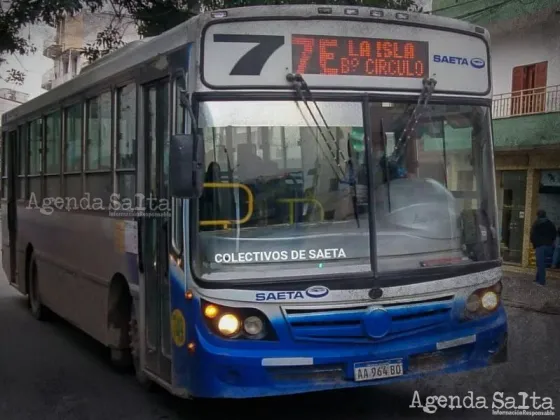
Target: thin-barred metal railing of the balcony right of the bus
x,y
526,102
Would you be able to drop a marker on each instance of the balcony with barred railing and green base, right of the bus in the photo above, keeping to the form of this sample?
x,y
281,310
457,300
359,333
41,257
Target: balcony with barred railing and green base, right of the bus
x,y
527,119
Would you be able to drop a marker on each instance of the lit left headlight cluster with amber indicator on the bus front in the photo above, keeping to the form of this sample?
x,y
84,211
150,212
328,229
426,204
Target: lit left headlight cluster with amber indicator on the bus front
x,y
237,323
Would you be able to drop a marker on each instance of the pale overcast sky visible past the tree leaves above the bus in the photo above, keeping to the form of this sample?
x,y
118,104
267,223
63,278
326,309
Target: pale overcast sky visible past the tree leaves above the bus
x,y
35,65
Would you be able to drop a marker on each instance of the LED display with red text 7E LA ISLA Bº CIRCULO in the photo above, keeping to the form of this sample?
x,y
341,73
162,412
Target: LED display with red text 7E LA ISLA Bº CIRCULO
x,y
352,56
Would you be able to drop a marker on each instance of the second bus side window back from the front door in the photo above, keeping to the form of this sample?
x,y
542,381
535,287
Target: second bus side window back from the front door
x,y
99,133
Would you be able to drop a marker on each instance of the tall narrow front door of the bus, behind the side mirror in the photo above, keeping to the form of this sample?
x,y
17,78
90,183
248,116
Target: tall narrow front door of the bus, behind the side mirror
x,y
157,333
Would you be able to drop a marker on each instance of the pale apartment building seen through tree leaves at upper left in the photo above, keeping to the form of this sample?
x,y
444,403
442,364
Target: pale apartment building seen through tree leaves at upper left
x,y
73,33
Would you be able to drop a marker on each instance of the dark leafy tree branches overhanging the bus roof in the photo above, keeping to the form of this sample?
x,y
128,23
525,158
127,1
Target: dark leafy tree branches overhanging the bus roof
x,y
152,17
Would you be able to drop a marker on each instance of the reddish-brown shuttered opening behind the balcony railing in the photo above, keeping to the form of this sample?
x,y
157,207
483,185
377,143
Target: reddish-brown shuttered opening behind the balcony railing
x,y
528,87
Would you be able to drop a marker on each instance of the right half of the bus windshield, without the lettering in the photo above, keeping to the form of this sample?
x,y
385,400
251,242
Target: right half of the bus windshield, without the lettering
x,y
434,188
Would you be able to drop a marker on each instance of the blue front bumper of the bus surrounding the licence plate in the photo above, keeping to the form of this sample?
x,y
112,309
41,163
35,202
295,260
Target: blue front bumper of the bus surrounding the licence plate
x,y
220,372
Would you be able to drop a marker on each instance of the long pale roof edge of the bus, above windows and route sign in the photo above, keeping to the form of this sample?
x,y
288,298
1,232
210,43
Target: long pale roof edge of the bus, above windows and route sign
x,y
146,50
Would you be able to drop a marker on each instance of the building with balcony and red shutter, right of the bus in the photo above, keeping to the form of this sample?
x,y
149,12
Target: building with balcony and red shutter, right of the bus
x,y
525,51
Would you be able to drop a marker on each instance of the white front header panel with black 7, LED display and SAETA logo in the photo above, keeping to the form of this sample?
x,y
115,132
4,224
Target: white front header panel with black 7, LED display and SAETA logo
x,y
366,57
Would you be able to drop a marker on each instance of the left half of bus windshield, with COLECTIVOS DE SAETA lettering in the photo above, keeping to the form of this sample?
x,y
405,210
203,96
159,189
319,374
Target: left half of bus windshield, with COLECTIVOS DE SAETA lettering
x,y
277,193
